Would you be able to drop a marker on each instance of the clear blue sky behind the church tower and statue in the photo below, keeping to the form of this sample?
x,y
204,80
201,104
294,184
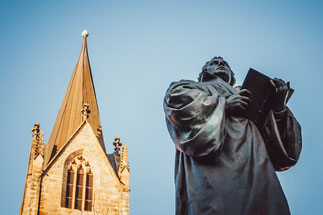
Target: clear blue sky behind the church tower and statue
x,y
136,49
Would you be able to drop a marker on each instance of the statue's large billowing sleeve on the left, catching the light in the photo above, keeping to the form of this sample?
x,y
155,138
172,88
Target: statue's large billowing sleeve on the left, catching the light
x,y
195,119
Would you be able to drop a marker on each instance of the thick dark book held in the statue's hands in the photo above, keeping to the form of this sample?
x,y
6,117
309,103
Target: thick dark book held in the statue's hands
x,y
261,93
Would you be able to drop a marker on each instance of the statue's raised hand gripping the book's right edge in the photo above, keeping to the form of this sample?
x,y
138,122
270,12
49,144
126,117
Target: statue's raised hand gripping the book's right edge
x,y
279,98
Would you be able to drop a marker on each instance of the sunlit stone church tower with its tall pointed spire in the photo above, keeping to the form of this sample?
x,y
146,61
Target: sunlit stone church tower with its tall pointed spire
x,y
72,173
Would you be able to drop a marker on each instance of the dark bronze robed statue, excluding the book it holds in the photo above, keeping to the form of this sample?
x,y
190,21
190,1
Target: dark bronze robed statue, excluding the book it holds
x,y
224,163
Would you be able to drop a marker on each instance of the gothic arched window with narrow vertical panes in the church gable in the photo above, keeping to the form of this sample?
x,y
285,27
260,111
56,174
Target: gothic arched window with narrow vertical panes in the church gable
x,y
79,186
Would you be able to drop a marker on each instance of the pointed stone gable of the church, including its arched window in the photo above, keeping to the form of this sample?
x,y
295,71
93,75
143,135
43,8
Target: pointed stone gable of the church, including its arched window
x,y
98,192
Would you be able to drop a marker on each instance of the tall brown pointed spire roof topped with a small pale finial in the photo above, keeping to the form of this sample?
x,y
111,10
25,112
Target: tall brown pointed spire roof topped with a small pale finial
x,y
80,92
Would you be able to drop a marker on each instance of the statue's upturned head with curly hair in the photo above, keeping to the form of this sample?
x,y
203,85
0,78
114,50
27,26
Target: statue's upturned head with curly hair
x,y
217,67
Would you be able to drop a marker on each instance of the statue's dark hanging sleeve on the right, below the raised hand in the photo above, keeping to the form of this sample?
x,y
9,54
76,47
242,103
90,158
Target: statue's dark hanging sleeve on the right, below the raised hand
x,y
283,139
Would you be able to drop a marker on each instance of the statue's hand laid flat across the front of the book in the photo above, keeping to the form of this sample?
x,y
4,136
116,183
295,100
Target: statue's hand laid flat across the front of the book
x,y
238,102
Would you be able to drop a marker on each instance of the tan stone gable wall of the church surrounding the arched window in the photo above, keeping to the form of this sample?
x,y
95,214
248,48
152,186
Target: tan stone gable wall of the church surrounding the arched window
x,y
109,196
